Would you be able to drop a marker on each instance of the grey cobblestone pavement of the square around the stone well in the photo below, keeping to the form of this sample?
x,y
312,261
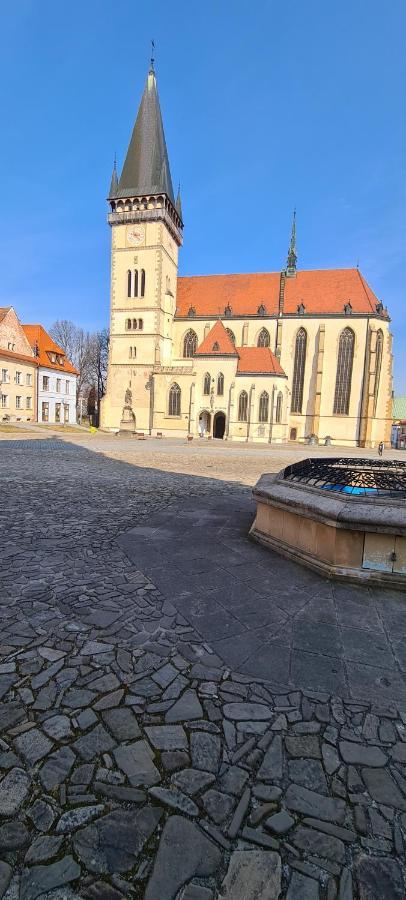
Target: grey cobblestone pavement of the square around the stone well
x,y
143,751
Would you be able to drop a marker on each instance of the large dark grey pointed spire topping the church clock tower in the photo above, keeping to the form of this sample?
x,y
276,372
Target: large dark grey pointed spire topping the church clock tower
x,y
146,167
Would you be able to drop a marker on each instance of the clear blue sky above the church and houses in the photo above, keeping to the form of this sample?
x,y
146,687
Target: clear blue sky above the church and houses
x,y
266,105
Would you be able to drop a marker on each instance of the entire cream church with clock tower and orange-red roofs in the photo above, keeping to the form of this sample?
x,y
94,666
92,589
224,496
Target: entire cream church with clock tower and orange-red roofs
x,y
270,357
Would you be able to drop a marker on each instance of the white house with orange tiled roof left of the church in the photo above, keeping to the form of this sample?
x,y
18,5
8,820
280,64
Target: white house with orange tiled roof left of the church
x,y
56,379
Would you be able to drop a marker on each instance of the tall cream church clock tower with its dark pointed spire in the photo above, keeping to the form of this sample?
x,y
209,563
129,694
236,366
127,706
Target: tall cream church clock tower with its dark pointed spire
x,y
146,224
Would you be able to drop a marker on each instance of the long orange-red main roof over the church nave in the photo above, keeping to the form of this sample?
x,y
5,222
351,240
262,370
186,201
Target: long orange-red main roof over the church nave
x,y
322,292
